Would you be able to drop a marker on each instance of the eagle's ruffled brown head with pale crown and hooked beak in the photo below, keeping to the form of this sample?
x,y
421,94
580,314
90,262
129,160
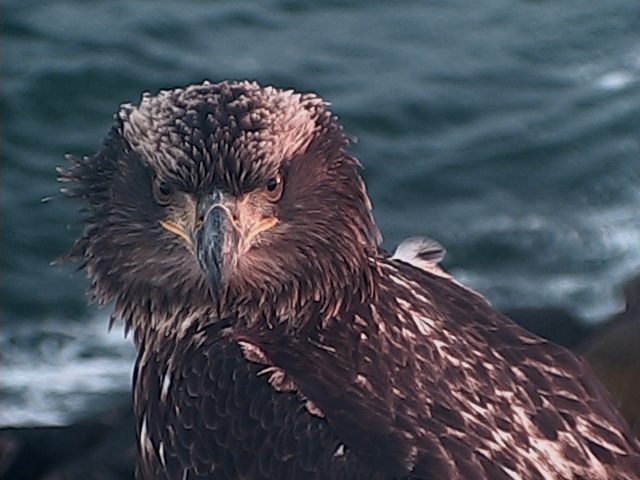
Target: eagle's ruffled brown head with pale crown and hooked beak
x,y
219,195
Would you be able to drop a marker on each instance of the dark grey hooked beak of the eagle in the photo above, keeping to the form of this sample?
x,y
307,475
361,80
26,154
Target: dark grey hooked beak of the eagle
x,y
216,238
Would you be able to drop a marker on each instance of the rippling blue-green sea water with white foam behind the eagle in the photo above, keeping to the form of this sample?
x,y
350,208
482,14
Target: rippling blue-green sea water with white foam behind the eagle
x,y
508,130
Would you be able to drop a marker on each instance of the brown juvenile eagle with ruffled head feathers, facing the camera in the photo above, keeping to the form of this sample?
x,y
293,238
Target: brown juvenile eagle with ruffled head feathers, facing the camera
x,y
276,339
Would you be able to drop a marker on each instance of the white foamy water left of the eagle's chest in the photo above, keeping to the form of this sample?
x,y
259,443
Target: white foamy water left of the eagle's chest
x,y
54,371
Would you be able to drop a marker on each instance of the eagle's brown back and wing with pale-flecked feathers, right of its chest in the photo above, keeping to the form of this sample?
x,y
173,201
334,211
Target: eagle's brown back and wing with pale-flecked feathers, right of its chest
x,y
427,381
